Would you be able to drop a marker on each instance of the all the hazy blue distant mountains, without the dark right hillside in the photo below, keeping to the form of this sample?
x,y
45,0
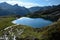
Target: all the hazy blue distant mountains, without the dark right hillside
x,y
7,9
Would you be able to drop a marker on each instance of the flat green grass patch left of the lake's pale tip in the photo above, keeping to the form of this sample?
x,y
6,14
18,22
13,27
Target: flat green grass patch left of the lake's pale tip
x,y
5,22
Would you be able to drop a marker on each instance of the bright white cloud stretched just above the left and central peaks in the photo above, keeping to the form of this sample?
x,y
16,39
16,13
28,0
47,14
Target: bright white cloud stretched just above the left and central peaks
x,y
25,4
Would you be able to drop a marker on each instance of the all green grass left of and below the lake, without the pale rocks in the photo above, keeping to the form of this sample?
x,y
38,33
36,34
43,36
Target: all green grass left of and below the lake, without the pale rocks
x,y
44,33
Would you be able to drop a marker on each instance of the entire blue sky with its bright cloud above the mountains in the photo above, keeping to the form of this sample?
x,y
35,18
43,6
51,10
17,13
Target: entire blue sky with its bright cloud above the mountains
x,y
31,3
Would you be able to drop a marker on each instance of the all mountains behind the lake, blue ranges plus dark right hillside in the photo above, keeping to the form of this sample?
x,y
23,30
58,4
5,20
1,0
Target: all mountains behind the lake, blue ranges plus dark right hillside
x,y
47,12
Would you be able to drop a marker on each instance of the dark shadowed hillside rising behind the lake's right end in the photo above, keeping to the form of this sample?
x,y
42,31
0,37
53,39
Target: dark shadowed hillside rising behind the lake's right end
x,y
50,14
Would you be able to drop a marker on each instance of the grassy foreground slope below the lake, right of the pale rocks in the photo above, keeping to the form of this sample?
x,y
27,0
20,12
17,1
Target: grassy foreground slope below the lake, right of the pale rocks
x,y
51,32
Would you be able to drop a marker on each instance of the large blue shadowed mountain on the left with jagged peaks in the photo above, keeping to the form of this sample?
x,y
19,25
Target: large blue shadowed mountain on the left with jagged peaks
x,y
7,9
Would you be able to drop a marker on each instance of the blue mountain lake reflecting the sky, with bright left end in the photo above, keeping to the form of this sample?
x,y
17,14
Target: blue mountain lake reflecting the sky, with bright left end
x,y
33,22
